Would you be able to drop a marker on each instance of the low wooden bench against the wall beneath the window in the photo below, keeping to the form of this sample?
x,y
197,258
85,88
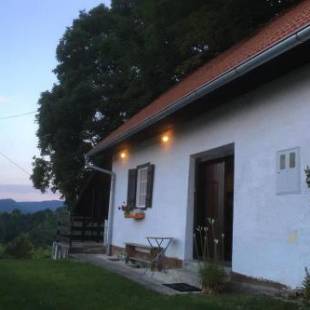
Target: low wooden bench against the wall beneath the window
x,y
140,253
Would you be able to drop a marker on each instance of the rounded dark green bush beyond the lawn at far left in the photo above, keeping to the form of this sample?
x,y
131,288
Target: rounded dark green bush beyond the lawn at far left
x,y
20,247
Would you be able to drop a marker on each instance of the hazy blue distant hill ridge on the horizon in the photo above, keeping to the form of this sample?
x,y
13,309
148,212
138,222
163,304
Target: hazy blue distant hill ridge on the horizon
x,y
8,205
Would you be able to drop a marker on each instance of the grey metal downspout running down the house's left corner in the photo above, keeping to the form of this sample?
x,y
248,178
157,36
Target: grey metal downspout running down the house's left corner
x,y
90,165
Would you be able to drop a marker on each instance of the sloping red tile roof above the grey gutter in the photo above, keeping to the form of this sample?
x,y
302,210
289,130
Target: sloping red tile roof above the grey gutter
x,y
269,35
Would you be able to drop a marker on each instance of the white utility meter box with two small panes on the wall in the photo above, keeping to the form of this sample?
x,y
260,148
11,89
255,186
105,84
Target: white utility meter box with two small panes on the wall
x,y
288,171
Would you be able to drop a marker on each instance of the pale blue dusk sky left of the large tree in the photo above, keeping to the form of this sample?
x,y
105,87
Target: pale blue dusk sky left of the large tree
x,y
29,33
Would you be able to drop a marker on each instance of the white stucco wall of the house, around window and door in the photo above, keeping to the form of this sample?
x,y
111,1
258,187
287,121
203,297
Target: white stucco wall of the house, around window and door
x,y
271,232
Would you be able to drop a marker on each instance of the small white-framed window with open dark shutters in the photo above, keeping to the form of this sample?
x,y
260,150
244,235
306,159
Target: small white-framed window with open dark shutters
x,y
140,186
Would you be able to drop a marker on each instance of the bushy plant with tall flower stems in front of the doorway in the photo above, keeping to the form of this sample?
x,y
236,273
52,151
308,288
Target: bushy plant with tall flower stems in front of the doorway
x,y
210,252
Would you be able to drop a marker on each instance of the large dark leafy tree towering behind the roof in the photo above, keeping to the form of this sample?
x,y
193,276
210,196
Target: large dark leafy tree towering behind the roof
x,y
114,61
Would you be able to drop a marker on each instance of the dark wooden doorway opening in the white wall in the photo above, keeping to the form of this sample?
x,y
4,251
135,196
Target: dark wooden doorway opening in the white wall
x,y
213,208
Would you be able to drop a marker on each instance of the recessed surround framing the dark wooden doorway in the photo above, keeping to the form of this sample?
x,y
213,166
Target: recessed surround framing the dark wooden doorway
x,y
211,154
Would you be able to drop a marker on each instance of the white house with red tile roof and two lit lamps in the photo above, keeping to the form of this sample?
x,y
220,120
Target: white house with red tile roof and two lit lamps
x,y
229,142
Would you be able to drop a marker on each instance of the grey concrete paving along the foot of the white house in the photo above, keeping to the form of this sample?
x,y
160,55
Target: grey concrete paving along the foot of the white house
x,y
155,280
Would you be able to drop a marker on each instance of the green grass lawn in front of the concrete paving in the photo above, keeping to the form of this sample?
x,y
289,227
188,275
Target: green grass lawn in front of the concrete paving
x,y
45,284
